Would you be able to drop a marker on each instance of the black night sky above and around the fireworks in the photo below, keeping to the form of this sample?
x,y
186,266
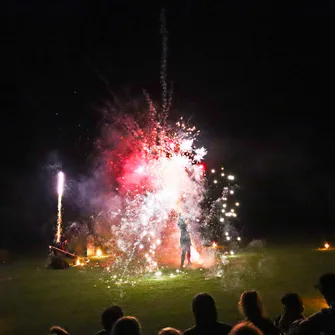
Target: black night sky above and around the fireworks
x,y
258,79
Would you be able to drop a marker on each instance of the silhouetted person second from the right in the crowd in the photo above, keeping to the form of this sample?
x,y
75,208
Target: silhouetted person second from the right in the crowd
x,y
293,309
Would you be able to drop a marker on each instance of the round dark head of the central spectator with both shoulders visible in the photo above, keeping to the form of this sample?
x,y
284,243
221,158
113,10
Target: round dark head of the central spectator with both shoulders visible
x,y
204,309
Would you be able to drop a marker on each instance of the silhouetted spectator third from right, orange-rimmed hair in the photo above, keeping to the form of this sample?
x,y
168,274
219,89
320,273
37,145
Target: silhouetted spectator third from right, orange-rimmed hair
x,y
251,307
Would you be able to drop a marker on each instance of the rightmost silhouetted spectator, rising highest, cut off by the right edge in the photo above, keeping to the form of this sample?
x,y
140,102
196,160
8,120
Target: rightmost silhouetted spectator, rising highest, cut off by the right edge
x,y
322,322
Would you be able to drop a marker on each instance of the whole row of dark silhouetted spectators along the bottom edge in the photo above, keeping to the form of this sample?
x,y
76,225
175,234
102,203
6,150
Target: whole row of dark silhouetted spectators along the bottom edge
x,y
291,321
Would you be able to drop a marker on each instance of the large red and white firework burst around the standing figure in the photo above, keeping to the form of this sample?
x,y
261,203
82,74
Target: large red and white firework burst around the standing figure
x,y
153,172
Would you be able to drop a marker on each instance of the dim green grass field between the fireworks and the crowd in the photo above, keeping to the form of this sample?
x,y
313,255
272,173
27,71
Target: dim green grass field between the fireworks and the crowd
x,y
33,298
